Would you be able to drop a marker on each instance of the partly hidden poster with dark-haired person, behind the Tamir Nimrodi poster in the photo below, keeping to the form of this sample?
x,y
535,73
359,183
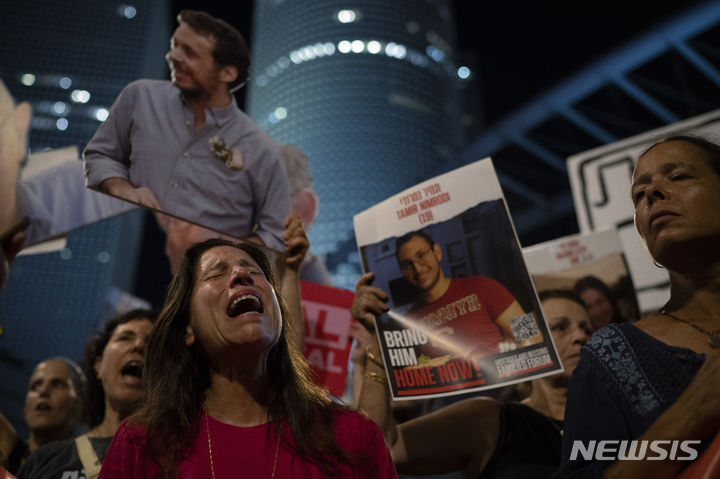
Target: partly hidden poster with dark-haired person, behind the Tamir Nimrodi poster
x,y
594,267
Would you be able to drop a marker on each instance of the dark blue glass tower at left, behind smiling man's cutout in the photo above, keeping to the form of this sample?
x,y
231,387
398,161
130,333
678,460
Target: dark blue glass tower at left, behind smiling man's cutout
x,y
70,60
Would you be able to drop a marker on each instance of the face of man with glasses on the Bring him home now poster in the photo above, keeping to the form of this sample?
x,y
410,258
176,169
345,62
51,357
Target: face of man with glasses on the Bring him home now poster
x,y
420,263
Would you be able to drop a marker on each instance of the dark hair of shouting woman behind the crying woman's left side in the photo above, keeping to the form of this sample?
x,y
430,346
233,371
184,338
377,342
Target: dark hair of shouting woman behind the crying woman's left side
x,y
93,393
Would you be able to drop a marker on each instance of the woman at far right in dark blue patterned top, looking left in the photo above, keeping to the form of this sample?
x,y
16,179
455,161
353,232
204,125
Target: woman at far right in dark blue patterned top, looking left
x,y
657,379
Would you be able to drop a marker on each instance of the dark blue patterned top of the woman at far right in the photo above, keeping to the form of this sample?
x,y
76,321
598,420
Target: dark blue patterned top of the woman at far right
x,y
625,379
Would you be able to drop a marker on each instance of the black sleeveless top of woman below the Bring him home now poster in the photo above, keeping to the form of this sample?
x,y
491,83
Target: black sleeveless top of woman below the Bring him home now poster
x,y
528,445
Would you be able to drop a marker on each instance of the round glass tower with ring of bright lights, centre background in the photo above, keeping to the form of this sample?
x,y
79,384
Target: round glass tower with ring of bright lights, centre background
x,y
368,90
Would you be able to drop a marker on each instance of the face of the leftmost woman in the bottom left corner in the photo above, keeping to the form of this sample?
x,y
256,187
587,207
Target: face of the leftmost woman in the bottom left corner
x,y
51,402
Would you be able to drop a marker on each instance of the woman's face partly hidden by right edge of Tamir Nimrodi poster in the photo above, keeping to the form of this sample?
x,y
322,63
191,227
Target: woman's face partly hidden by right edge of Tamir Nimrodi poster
x,y
570,327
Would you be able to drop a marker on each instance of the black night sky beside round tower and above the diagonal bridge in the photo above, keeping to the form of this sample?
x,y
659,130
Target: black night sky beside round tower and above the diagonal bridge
x,y
522,48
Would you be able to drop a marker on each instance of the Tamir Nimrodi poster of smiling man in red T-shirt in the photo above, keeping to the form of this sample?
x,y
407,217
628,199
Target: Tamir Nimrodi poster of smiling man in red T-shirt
x,y
463,312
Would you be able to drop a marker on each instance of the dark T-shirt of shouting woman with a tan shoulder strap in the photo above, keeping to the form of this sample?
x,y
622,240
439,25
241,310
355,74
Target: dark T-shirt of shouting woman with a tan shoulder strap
x,y
52,460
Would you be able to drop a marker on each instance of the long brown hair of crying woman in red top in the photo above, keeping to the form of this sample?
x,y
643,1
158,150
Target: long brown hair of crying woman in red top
x,y
174,370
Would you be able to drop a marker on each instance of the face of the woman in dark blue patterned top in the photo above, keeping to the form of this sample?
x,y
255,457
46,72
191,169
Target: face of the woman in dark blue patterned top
x,y
676,194
